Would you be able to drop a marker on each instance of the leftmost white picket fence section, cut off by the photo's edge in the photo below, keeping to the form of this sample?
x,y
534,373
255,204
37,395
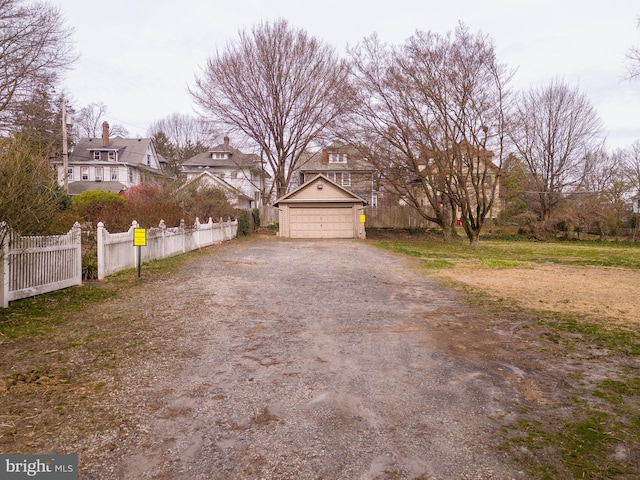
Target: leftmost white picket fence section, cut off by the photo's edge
x,y
38,264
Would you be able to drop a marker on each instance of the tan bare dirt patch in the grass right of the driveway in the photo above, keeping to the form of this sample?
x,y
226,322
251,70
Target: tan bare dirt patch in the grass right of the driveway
x,y
601,293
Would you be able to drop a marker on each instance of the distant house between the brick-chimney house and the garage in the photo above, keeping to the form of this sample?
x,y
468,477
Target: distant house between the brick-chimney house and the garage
x,y
241,171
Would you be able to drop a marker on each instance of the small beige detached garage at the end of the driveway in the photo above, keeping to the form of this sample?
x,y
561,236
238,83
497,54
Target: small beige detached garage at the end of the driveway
x,y
321,209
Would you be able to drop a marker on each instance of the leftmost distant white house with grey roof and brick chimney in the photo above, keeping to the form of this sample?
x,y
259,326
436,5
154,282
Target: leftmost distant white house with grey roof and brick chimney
x,y
111,164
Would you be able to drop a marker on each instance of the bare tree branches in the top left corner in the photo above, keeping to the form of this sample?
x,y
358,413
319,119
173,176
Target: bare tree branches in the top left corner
x,y
35,47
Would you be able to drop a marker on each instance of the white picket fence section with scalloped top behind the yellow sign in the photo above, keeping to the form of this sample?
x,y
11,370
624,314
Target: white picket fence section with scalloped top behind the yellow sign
x,y
116,250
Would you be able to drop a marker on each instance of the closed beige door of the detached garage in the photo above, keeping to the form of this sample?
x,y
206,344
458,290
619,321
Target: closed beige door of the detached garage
x,y
321,222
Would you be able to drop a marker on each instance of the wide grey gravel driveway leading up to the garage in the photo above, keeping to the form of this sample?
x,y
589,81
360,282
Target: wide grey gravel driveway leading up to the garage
x,y
283,359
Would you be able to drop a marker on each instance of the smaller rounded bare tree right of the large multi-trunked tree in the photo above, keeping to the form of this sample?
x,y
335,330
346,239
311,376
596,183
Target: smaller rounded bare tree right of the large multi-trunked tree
x,y
556,128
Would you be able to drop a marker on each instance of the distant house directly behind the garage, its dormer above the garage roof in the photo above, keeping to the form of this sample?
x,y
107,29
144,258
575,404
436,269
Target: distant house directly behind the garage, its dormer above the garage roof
x,y
344,165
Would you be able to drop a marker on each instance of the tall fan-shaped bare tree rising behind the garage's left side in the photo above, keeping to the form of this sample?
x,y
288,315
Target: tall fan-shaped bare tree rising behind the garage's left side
x,y
278,86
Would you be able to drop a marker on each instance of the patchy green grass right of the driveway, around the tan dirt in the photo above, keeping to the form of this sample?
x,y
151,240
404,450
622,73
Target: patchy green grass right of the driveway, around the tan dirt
x,y
596,433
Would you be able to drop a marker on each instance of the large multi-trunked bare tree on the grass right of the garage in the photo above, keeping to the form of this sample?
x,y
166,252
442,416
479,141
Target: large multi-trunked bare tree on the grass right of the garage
x,y
437,105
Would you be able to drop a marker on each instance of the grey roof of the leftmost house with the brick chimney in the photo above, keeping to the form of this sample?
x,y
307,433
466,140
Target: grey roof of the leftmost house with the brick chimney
x,y
132,151
